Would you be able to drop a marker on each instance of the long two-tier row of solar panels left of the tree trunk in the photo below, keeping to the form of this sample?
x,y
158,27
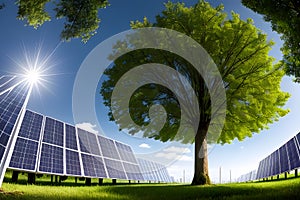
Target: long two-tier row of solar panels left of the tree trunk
x,y
46,145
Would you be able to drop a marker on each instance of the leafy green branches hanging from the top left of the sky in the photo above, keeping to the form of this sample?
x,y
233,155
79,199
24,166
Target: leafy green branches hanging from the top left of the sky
x,y
81,16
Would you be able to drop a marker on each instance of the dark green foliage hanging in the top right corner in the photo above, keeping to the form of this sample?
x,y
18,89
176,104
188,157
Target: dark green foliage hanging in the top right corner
x,y
284,16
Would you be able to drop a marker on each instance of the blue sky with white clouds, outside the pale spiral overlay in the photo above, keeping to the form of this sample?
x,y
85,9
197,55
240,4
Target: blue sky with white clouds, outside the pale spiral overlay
x,y
55,99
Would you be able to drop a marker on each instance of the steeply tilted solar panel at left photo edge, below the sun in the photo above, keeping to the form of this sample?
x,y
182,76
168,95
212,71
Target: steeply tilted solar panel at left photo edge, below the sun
x,y
13,94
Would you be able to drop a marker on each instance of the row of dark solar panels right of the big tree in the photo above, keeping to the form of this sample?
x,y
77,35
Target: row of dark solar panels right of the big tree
x,y
284,159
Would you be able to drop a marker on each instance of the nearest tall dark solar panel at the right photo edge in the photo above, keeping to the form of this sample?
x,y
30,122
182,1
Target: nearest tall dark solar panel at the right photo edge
x,y
293,154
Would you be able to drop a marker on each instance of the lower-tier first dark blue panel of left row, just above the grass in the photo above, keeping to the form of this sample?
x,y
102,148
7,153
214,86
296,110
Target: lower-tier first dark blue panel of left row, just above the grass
x,y
24,154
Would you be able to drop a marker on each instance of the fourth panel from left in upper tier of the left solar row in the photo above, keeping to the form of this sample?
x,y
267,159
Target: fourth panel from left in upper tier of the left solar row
x,y
88,142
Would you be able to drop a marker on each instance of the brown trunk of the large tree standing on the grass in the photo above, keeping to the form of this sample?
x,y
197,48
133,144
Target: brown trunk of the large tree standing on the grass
x,y
201,162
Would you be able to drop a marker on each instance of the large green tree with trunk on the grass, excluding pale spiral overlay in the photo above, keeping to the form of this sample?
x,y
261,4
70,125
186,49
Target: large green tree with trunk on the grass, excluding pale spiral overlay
x,y
240,51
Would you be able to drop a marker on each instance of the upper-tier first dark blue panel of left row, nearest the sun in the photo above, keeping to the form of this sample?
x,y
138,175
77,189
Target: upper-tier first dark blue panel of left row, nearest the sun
x,y
31,126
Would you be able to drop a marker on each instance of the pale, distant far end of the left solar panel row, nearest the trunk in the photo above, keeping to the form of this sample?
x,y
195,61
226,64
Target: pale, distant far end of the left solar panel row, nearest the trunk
x,y
153,171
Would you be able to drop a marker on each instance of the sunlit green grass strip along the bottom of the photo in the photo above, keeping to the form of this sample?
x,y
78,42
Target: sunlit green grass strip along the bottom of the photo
x,y
282,189
